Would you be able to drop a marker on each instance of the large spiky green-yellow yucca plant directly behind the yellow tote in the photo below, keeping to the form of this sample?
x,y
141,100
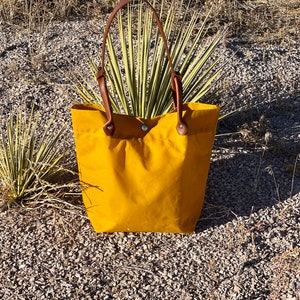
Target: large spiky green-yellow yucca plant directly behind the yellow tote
x,y
139,82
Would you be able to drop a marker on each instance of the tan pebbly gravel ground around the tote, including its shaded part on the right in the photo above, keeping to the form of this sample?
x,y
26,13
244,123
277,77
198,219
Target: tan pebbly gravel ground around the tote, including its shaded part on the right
x,y
247,242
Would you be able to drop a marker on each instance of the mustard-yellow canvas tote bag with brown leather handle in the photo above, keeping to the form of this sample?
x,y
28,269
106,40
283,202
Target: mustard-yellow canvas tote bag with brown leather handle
x,y
143,175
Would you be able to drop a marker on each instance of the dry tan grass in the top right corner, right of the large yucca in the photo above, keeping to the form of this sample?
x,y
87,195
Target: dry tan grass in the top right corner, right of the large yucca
x,y
275,21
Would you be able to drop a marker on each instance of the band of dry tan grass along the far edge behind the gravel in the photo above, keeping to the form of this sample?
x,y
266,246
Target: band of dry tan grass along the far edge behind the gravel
x,y
272,21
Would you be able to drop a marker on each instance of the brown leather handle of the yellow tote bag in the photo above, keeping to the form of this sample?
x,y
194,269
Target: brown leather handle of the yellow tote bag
x,y
176,84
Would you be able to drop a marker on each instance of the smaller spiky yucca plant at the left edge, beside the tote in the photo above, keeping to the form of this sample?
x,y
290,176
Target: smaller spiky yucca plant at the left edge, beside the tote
x,y
29,158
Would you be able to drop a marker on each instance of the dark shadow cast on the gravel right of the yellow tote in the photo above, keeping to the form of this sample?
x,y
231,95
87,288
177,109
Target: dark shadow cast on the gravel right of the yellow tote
x,y
248,175
